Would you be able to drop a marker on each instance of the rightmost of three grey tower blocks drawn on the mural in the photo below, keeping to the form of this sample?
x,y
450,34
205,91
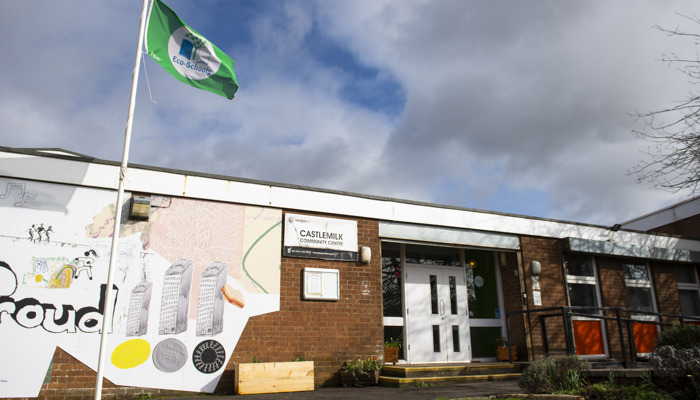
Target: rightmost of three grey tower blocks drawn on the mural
x,y
210,306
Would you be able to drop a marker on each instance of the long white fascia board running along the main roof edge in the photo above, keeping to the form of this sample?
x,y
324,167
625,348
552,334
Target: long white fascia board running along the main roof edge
x,y
84,173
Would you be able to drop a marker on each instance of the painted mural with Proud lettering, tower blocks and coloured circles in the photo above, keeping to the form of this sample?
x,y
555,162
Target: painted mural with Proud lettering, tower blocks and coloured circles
x,y
186,281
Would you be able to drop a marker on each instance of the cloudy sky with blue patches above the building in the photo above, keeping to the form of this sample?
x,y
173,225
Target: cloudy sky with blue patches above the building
x,y
513,106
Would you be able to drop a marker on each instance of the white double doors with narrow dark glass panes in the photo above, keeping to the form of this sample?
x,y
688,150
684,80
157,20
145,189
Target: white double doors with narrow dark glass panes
x,y
437,315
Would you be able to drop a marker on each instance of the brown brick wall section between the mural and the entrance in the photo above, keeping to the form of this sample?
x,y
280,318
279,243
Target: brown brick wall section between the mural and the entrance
x,y
326,332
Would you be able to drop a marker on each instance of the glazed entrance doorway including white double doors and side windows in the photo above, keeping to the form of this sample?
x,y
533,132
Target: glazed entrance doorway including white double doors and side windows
x,y
443,303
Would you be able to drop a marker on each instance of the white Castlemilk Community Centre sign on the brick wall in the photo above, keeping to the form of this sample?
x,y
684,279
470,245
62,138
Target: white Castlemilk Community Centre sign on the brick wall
x,y
323,238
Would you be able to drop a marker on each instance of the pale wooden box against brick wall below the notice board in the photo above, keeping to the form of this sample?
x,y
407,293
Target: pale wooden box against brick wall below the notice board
x,y
274,377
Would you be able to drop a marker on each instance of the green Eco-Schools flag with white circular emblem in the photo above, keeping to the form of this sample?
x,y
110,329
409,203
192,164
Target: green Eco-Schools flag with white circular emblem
x,y
186,54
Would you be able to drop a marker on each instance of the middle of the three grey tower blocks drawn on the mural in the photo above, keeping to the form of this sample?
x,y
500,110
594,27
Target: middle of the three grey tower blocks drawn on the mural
x,y
176,297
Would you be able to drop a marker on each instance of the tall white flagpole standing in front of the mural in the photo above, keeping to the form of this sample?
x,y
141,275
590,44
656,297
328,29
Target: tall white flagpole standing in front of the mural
x,y
109,302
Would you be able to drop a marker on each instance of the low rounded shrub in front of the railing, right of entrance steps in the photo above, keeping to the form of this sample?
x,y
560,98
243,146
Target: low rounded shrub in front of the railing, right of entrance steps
x,y
553,374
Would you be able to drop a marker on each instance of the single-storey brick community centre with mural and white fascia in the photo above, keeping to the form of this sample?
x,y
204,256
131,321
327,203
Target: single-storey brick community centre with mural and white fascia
x,y
212,271
